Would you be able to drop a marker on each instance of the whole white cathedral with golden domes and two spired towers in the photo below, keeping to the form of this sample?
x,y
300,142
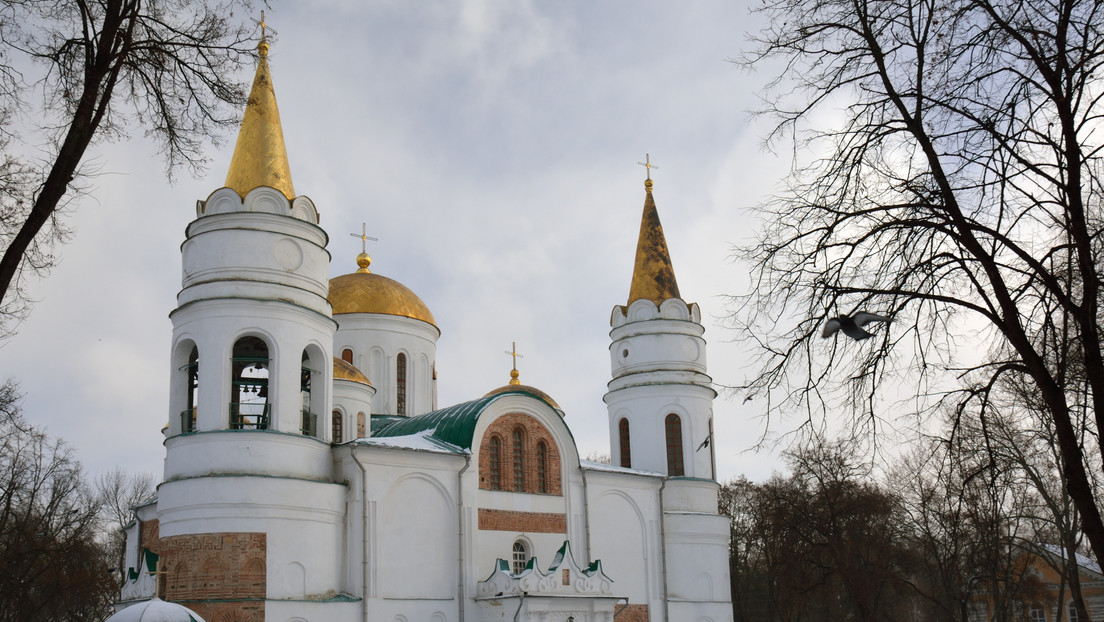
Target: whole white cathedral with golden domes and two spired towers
x,y
312,477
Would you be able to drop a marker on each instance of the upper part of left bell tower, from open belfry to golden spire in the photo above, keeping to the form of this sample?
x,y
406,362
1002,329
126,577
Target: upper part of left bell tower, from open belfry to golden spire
x,y
252,331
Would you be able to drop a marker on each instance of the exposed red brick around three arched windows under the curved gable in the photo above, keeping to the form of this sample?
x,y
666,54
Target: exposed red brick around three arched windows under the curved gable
x,y
535,433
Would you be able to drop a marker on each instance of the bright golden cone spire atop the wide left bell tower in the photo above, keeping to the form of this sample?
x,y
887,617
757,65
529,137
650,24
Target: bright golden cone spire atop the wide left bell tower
x,y
260,155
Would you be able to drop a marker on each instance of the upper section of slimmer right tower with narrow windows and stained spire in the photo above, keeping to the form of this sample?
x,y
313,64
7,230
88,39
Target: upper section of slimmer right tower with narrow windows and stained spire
x,y
661,400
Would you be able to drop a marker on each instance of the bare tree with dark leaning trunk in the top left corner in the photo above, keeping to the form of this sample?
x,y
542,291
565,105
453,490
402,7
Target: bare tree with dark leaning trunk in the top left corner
x,y
73,72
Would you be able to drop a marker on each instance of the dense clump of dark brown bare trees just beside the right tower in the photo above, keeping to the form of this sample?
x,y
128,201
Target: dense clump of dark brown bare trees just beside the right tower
x,y
822,544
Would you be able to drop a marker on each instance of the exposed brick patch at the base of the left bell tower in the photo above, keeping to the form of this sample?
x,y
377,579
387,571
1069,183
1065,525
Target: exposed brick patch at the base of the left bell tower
x,y
218,567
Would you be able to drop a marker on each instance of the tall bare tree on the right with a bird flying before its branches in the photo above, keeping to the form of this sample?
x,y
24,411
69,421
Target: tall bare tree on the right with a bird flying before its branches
x,y
960,195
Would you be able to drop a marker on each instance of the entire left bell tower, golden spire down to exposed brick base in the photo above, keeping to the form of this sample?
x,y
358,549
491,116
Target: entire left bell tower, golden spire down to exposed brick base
x,y
249,490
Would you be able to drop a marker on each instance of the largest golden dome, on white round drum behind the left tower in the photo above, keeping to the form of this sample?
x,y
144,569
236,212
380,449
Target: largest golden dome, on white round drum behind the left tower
x,y
366,292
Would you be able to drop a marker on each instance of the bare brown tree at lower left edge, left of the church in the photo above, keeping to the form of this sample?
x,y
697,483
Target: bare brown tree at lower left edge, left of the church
x,y
52,568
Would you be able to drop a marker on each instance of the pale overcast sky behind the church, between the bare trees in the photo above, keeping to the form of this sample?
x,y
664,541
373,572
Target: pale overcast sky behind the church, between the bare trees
x,y
493,149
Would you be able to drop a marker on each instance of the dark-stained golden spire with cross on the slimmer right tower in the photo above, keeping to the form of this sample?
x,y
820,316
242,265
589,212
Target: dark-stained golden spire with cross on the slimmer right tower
x,y
653,276
